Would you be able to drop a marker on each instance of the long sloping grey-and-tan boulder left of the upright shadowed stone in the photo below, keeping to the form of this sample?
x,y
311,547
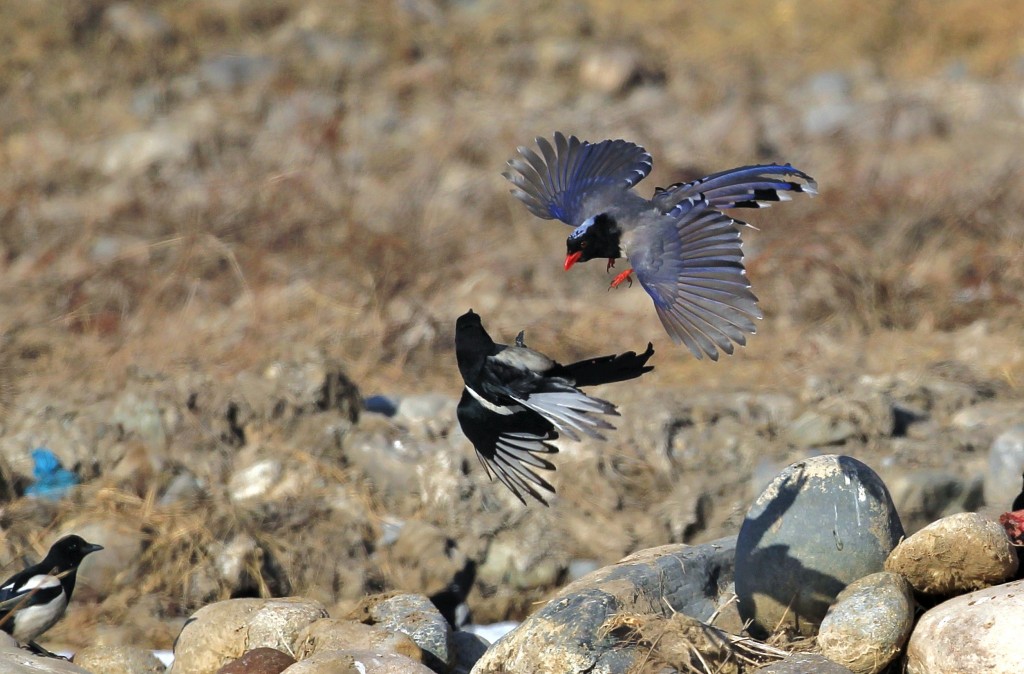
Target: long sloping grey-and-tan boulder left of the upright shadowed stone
x,y
569,635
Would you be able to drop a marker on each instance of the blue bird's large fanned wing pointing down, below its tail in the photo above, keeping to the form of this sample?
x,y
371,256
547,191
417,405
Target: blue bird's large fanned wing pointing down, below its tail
x,y
693,268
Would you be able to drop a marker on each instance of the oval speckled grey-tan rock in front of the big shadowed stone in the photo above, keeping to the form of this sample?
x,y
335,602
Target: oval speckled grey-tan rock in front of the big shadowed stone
x,y
869,624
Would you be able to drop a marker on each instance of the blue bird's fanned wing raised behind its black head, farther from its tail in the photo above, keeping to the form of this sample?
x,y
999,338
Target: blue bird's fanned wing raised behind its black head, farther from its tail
x,y
554,184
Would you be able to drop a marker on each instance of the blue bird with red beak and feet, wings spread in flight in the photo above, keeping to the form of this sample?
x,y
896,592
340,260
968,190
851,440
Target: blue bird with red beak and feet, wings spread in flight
x,y
685,251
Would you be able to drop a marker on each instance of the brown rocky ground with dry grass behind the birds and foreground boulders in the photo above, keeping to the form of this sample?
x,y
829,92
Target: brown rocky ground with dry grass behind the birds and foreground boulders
x,y
224,226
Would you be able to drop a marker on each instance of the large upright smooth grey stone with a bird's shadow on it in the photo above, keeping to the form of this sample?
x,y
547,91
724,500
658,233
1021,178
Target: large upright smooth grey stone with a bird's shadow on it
x,y
823,524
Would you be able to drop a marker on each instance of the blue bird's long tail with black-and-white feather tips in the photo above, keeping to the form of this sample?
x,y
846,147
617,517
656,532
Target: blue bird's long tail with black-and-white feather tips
x,y
747,187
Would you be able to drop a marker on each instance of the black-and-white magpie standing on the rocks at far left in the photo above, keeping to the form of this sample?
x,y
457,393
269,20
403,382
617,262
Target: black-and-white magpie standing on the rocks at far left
x,y
33,601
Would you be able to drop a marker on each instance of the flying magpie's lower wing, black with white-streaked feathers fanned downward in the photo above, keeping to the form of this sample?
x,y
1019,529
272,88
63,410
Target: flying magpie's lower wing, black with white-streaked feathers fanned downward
x,y
508,446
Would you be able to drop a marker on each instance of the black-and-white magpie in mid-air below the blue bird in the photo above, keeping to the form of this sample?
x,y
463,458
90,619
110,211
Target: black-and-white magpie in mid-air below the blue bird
x,y
517,399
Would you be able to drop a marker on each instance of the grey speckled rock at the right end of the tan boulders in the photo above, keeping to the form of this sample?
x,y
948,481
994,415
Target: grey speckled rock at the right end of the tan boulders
x,y
415,616
